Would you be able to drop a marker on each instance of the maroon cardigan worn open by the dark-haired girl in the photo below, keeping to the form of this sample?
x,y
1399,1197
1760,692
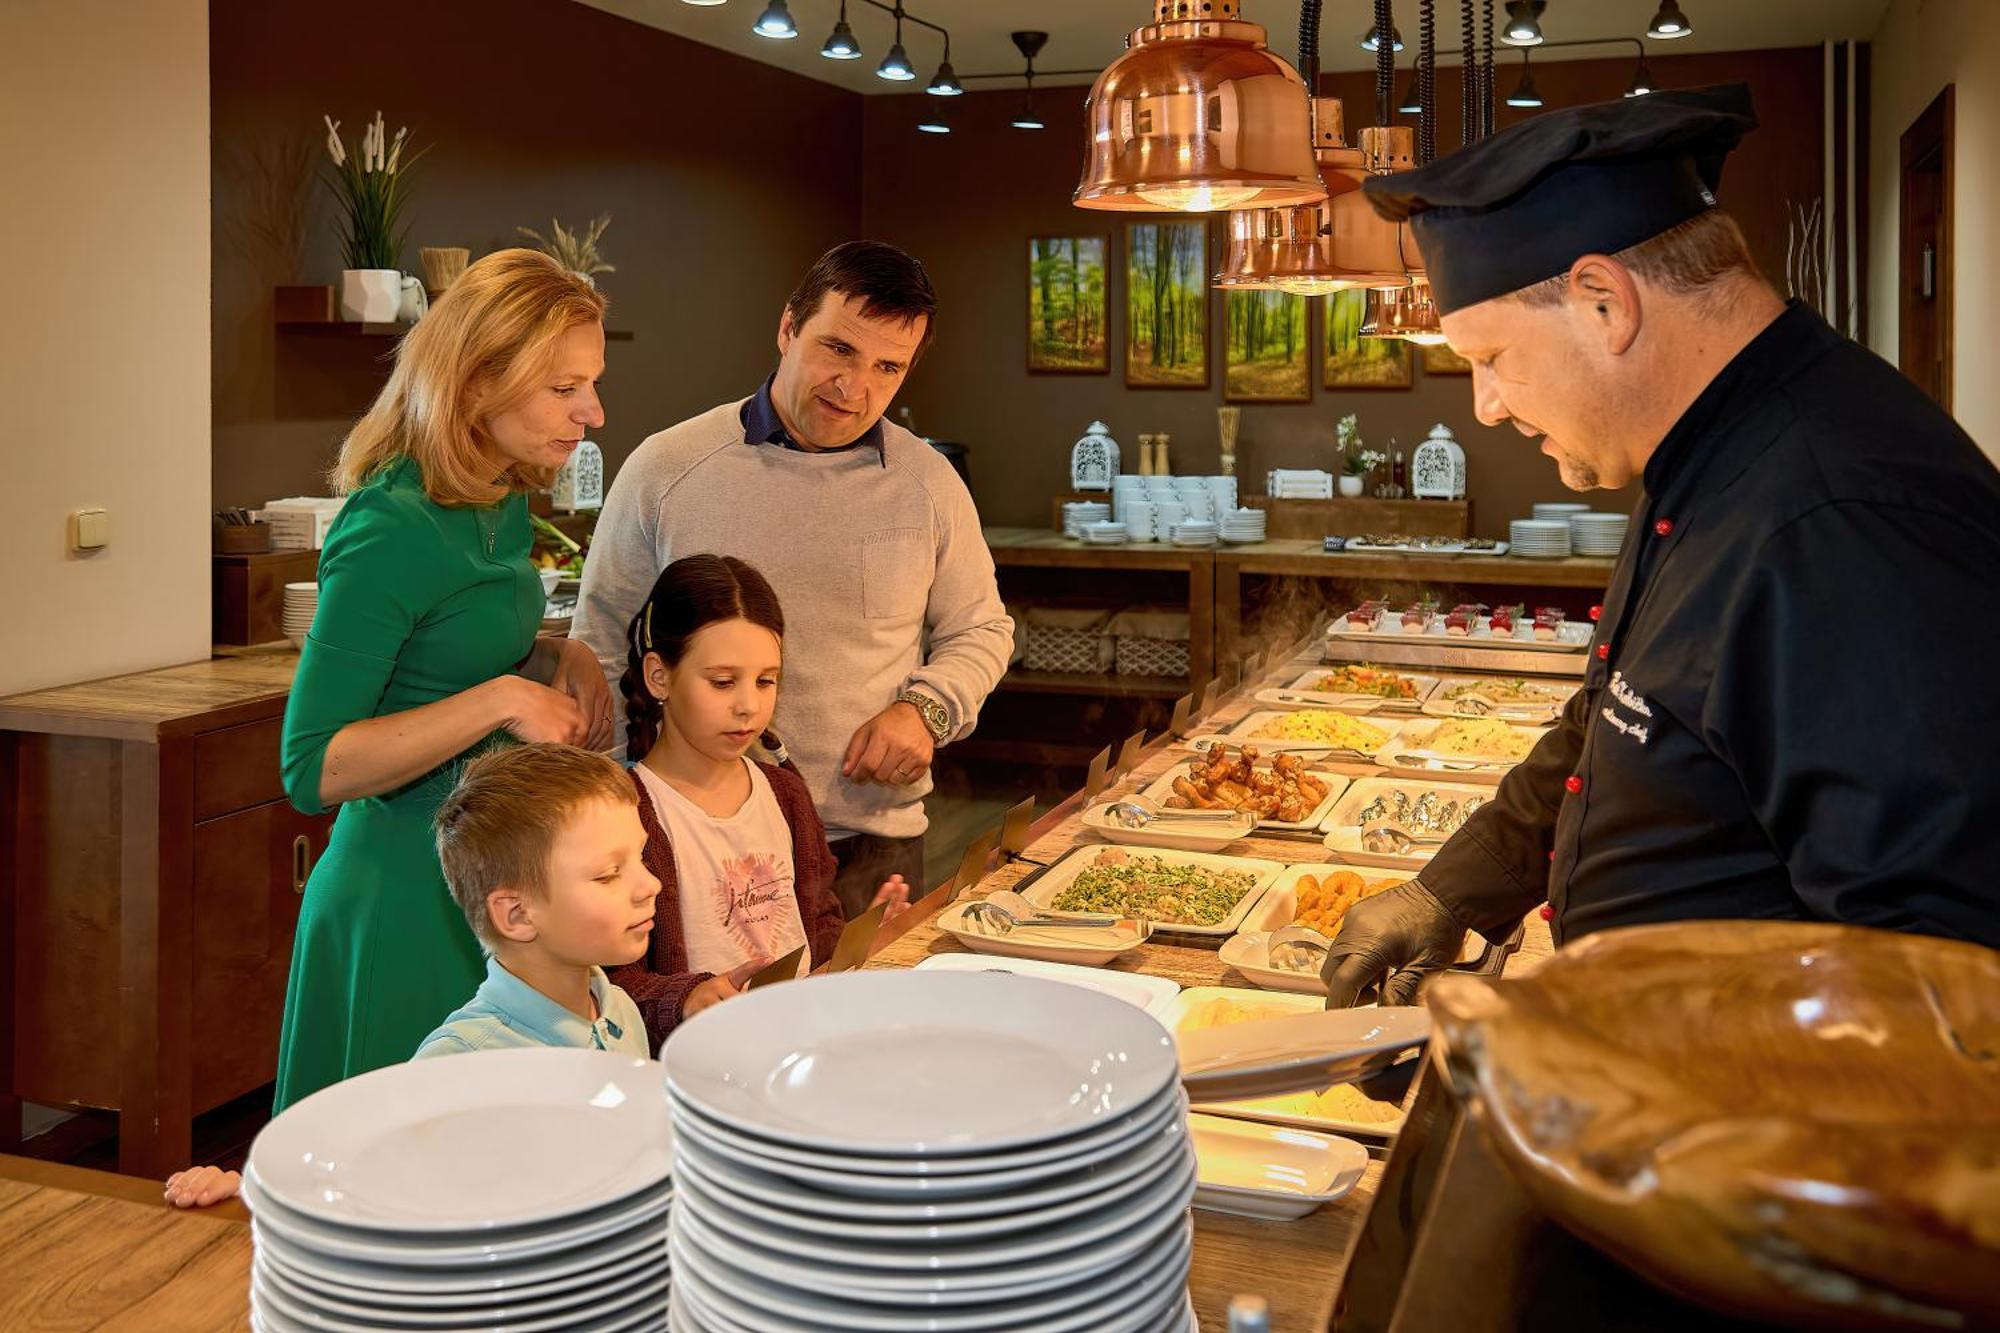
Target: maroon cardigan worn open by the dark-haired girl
x,y
661,982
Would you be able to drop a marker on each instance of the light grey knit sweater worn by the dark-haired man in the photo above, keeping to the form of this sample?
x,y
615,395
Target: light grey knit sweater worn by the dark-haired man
x,y
883,575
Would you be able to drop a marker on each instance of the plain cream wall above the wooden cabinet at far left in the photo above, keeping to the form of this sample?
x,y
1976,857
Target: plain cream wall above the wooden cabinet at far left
x,y
105,343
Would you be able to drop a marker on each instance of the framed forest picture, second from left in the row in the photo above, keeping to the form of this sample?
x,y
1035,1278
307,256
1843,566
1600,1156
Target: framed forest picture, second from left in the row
x,y
1167,305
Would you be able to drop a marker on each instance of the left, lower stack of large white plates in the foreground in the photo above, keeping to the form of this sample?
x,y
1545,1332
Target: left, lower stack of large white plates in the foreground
x,y
523,1190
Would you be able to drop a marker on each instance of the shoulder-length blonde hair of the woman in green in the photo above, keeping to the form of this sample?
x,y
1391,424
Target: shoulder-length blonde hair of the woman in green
x,y
481,349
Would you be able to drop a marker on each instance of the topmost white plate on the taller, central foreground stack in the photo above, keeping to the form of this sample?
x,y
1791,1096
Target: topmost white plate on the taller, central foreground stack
x,y
919,1064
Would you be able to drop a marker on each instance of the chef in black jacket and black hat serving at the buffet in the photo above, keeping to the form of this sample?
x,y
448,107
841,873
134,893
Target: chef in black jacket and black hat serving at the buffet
x,y
1791,708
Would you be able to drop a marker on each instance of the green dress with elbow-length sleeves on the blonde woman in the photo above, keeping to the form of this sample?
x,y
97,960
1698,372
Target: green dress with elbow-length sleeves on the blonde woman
x,y
417,603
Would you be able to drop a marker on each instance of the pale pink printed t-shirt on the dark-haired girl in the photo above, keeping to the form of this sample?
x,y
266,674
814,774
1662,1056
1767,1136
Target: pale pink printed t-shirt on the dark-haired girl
x,y
737,894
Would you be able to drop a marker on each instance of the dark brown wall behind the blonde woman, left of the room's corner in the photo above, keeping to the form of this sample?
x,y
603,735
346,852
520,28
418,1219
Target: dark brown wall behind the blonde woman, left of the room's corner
x,y
723,177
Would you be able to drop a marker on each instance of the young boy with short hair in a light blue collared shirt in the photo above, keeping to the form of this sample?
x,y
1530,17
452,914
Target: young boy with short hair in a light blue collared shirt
x,y
543,850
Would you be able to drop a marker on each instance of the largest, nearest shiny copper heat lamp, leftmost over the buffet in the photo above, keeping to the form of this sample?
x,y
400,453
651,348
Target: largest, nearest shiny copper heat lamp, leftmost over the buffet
x,y
1199,115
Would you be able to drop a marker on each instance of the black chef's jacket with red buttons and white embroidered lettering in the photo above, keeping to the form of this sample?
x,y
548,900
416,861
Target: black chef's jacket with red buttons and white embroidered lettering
x,y
1789,708
